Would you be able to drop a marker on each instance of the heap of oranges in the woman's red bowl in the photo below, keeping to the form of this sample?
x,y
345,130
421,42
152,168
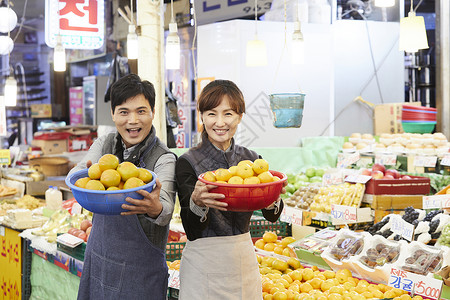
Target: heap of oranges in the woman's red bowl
x,y
245,172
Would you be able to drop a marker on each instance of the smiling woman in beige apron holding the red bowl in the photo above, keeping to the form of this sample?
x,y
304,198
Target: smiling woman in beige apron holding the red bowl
x,y
219,260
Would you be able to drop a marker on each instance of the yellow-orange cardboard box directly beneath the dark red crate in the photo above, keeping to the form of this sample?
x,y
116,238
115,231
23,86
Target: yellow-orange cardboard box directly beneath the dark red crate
x,y
393,202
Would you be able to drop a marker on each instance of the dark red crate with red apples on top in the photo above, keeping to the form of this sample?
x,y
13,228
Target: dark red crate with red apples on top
x,y
416,186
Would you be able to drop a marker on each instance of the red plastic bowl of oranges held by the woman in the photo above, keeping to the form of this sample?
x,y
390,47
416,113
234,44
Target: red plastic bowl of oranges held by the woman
x,y
249,197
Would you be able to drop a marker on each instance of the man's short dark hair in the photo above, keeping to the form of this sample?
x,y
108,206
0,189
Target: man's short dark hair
x,y
130,86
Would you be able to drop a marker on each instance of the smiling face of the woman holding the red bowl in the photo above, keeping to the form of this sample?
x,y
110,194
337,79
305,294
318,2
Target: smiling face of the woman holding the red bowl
x,y
221,123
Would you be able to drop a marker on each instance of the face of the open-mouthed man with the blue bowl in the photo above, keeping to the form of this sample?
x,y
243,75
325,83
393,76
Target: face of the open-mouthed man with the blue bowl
x,y
133,120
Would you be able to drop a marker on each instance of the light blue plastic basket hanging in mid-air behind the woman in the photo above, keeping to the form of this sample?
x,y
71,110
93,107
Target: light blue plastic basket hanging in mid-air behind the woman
x,y
287,109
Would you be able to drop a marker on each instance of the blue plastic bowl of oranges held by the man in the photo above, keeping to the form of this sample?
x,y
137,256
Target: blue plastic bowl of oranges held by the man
x,y
104,202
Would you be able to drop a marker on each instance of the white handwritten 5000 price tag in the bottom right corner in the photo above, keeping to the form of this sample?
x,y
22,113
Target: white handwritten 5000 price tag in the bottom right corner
x,y
421,285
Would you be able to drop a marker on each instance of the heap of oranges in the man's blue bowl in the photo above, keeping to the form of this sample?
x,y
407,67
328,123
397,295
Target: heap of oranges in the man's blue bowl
x,y
109,175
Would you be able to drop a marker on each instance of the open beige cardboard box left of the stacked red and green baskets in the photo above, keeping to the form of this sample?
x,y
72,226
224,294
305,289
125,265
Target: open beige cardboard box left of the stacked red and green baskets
x,y
387,118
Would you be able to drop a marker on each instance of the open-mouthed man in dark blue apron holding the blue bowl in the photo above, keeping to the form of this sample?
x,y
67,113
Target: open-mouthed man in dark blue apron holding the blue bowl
x,y
125,255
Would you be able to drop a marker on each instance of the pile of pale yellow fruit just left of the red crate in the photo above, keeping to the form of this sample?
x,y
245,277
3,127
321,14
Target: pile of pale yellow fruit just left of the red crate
x,y
349,194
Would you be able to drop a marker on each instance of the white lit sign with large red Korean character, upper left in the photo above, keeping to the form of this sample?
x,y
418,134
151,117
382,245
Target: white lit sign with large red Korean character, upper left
x,y
81,23
